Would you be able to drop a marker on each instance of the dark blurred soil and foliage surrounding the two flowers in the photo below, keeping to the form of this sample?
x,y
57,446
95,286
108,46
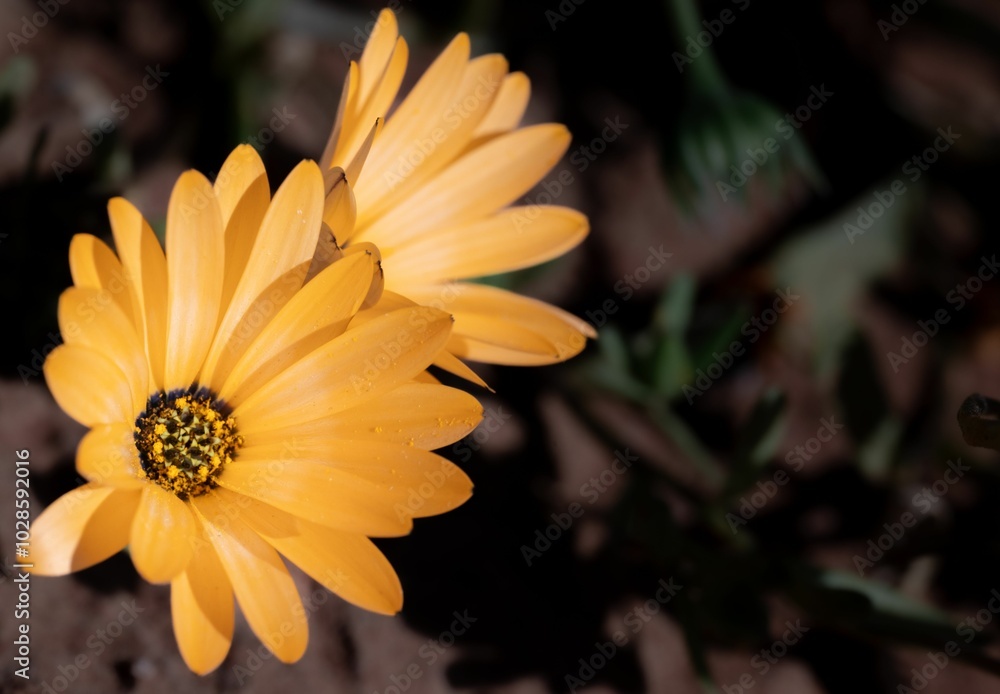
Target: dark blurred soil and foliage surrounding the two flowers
x,y
753,481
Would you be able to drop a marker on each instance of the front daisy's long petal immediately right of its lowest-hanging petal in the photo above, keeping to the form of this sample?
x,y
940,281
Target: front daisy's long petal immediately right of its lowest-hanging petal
x,y
263,586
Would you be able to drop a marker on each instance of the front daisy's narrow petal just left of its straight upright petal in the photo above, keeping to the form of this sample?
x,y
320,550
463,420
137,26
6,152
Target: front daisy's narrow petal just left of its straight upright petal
x,y
146,269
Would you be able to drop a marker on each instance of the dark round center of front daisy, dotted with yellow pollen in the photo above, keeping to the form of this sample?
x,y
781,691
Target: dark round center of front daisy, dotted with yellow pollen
x,y
185,439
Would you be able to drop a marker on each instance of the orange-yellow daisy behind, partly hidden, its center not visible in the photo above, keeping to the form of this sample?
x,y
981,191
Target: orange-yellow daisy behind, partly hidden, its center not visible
x,y
433,187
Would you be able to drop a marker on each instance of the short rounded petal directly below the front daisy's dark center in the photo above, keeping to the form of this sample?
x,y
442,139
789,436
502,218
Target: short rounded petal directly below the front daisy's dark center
x,y
162,531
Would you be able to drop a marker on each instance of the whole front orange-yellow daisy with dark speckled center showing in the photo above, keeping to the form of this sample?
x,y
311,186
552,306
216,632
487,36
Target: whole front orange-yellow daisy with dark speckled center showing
x,y
235,417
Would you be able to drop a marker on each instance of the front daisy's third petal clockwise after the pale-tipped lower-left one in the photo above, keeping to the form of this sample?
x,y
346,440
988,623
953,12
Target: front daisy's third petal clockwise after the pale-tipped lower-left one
x,y
91,318
